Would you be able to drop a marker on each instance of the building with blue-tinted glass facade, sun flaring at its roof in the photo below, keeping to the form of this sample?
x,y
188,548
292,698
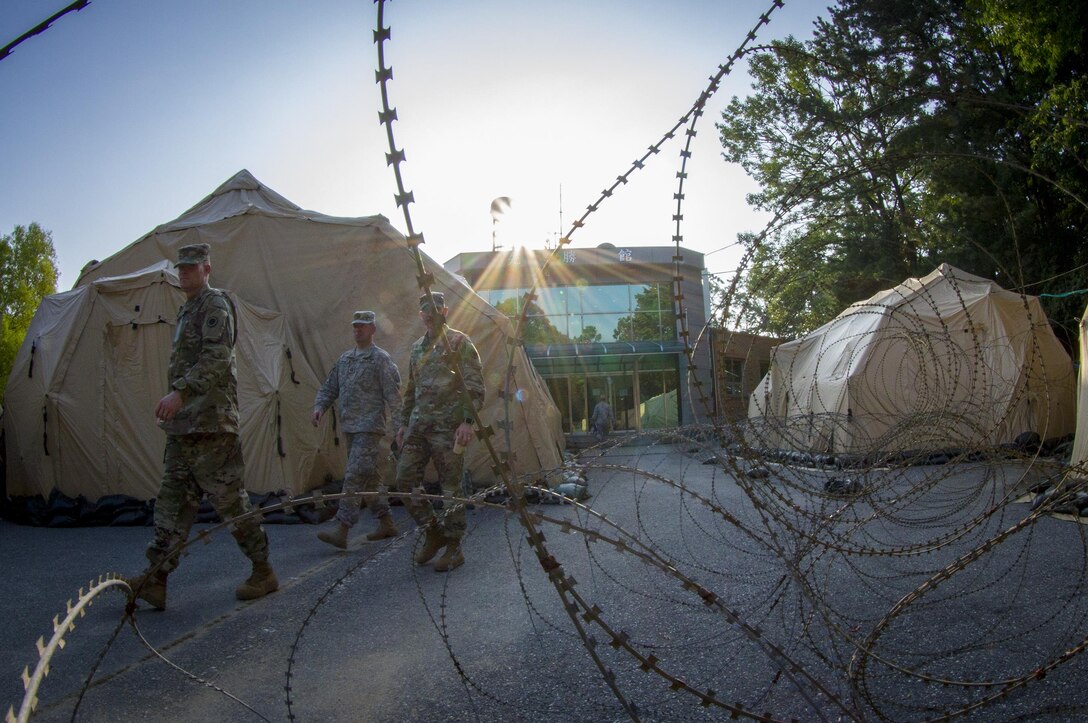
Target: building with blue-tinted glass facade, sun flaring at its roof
x,y
603,326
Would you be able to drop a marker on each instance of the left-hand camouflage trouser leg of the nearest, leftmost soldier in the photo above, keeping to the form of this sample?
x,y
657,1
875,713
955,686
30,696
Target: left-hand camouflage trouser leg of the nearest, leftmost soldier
x,y
176,508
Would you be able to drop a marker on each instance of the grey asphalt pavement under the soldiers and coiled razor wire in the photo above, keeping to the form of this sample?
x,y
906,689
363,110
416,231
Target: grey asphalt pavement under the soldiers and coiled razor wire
x,y
800,583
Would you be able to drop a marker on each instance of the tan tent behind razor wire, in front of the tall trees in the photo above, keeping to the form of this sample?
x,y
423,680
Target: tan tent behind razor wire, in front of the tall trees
x,y
949,360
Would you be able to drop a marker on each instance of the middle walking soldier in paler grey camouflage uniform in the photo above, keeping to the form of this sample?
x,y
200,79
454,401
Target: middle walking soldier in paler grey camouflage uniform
x,y
365,381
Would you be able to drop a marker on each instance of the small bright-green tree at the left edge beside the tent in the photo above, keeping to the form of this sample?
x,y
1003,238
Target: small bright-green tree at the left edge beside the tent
x,y
28,275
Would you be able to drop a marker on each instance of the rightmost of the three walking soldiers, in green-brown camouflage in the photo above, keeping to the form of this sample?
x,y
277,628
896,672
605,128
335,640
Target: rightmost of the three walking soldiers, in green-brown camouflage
x,y
437,426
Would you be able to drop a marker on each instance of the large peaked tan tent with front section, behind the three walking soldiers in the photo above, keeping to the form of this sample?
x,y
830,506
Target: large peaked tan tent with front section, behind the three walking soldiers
x,y
81,396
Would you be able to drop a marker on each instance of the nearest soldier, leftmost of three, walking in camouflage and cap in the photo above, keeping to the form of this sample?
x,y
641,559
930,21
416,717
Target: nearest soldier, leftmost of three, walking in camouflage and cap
x,y
201,419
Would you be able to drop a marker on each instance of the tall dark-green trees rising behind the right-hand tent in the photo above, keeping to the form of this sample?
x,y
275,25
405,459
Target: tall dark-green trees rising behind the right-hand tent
x,y
907,134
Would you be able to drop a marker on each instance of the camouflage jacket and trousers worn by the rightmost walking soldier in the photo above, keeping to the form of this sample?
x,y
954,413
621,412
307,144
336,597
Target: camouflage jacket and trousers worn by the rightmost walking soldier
x,y
434,408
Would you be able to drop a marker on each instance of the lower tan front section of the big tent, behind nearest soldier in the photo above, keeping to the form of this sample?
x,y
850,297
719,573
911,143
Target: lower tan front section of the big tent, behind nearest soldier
x,y
83,390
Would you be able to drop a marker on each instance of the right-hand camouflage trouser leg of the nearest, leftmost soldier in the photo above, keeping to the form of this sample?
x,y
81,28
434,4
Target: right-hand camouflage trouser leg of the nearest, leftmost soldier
x,y
219,473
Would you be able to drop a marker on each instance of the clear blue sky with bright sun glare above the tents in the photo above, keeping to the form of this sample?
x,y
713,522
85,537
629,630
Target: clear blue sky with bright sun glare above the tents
x,y
128,114
